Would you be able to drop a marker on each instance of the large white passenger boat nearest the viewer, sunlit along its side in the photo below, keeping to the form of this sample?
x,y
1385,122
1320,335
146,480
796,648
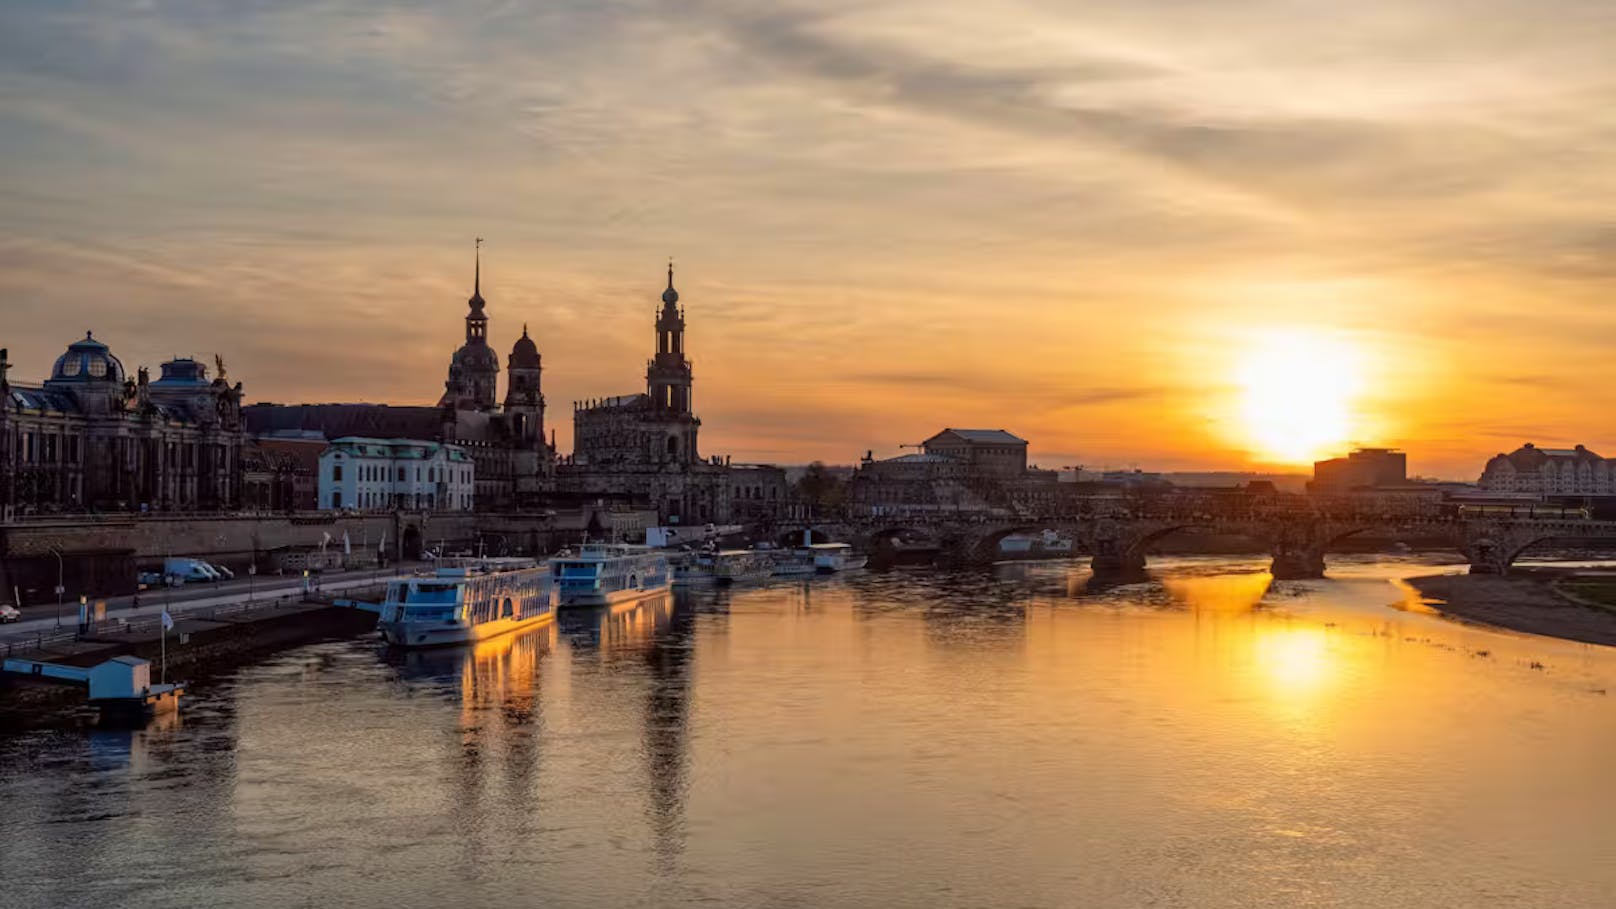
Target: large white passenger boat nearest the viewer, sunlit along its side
x,y
468,601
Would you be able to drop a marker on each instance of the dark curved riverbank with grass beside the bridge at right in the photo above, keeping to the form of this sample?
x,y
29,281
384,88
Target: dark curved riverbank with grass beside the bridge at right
x,y
1528,601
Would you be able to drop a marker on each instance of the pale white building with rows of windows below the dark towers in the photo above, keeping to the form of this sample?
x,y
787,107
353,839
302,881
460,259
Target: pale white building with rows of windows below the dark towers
x,y
369,475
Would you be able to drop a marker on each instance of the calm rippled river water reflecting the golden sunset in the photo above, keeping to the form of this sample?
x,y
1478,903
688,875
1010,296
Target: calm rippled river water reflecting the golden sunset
x,y
883,740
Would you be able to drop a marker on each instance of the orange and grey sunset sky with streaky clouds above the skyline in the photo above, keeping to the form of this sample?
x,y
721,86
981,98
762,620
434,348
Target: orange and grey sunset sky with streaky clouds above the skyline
x,y
1126,230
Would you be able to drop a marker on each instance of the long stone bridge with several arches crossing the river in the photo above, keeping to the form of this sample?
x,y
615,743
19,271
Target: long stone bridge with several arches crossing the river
x,y
1297,543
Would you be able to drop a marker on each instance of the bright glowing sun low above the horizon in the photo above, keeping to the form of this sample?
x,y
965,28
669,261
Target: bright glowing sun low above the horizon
x,y
1298,392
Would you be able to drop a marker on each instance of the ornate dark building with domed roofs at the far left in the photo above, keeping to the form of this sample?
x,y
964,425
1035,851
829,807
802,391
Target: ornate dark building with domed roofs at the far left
x,y
90,438
